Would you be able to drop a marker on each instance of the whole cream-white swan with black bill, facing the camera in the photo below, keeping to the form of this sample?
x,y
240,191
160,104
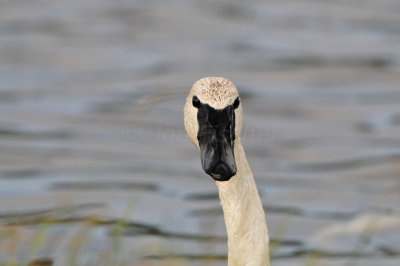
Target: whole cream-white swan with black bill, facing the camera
x,y
213,122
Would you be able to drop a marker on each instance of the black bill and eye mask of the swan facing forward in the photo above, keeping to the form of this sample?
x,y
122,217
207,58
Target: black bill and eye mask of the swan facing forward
x,y
216,138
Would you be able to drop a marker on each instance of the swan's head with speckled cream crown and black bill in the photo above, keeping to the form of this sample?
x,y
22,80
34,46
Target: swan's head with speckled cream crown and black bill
x,y
213,121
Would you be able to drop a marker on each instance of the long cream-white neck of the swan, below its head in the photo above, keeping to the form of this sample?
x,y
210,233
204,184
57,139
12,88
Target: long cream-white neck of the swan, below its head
x,y
248,240
